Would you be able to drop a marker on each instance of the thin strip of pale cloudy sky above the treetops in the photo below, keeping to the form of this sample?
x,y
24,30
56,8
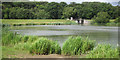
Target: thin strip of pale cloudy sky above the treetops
x,y
78,1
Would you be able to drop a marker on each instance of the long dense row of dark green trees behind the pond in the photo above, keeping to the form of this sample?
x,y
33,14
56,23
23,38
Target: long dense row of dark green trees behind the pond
x,y
54,10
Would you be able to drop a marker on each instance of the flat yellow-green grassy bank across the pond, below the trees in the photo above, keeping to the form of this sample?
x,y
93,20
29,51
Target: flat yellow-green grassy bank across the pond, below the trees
x,y
19,22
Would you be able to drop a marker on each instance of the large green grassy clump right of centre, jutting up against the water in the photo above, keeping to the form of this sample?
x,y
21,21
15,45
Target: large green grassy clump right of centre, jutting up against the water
x,y
77,45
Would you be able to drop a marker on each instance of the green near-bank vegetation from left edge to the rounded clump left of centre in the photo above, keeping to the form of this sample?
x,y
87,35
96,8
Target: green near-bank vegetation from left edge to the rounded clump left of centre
x,y
33,44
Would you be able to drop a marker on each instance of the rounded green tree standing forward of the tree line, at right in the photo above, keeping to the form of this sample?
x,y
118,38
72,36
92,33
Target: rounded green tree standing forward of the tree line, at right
x,y
101,18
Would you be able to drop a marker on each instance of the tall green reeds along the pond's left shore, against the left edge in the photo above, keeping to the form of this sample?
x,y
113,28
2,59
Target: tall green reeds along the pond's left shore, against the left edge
x,y
12,38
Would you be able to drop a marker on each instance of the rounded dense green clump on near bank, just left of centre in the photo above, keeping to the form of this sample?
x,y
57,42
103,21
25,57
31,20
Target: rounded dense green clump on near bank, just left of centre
x,y
43,46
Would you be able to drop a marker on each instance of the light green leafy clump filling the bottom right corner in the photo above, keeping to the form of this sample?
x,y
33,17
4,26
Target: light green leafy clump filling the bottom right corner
x,y
103,51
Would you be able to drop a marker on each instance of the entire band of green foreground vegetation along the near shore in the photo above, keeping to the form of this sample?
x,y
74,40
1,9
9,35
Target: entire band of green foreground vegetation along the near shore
x,y
14,44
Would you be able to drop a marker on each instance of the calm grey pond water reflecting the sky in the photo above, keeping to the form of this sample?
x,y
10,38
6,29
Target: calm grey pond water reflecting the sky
x,y
102,34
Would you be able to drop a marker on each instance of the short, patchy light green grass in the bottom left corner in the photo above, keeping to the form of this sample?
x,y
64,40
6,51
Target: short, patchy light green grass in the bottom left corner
x,y
11,52
